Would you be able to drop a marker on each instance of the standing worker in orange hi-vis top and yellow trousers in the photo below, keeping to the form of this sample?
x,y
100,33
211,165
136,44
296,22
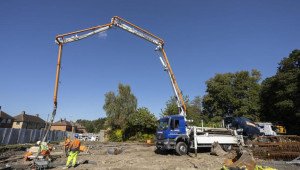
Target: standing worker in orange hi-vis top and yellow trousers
x,y
74,149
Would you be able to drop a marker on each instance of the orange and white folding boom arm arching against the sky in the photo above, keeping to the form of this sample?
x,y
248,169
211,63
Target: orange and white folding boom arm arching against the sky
x,y
125,25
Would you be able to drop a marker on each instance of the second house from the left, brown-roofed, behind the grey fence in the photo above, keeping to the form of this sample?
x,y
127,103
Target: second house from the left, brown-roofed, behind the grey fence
x,y
25,121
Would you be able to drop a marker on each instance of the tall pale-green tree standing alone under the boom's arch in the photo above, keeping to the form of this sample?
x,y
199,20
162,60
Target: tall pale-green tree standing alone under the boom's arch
x,y
119,107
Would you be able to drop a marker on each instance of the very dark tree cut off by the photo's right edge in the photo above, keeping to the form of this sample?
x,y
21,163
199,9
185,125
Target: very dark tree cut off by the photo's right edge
x,y
280,96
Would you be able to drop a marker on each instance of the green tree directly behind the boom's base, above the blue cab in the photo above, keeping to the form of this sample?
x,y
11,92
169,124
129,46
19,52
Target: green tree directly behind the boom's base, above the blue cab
x,y
193,109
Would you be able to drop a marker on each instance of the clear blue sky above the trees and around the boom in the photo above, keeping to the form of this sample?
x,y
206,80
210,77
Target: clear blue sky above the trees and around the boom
x,y
202,38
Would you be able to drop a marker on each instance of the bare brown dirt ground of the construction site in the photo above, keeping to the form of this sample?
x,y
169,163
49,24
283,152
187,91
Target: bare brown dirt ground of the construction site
x,y
144,157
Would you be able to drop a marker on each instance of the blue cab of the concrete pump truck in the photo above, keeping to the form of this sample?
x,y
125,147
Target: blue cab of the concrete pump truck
x,y
170,131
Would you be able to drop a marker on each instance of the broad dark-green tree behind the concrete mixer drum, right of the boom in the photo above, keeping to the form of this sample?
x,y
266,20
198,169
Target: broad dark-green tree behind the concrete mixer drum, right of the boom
x,y
235,94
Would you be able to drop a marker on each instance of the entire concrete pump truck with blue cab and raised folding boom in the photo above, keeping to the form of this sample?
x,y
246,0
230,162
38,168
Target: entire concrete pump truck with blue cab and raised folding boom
x,y
173,131
